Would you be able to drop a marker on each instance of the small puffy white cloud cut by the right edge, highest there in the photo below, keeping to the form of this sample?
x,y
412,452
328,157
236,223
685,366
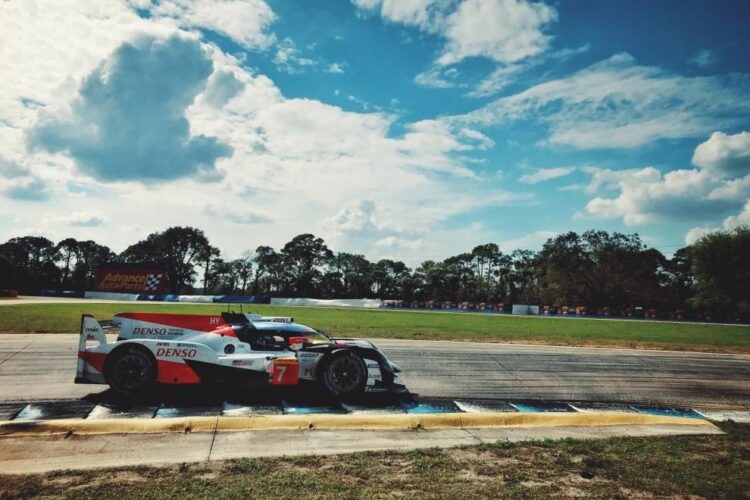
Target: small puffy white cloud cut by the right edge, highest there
x,y
724,154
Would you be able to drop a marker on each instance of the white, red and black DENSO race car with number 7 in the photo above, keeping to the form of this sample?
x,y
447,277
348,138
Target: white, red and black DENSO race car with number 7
x,y
162,348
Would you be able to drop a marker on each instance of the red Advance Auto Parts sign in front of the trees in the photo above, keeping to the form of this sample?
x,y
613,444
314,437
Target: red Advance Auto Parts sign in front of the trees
x,y
150,280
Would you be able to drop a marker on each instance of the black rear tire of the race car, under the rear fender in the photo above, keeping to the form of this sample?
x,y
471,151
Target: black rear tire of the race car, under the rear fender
x,y
130,369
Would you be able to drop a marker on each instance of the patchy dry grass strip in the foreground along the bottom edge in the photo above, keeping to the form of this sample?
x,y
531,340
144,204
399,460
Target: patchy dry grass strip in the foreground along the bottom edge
x,y
715,466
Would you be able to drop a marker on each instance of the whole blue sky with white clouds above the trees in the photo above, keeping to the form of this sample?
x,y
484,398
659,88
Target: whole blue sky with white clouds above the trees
x,y
405,129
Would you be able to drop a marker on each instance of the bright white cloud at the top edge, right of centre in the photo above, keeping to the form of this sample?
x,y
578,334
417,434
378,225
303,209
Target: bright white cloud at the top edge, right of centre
x,y
502,30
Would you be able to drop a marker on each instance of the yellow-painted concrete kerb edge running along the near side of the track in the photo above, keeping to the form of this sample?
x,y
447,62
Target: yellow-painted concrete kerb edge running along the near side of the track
x,y
332,422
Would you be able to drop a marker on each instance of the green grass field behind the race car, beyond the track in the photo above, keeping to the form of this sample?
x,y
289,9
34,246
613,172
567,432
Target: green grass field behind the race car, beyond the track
x,y
418,325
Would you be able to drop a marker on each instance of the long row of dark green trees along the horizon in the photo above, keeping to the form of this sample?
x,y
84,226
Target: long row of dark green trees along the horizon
x,y
595,268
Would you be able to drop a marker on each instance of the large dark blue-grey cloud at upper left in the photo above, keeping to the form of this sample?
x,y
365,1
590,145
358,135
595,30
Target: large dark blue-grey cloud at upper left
x,y
128,121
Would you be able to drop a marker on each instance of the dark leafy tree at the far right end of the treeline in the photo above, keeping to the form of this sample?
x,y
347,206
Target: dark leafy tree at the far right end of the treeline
x,y
720,264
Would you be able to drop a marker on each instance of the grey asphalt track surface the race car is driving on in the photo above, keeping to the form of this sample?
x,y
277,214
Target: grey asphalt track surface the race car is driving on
x,y
42,367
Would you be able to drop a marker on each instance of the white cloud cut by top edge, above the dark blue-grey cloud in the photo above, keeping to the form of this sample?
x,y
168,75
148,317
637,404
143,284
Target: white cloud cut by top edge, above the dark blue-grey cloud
x,y
244,21
